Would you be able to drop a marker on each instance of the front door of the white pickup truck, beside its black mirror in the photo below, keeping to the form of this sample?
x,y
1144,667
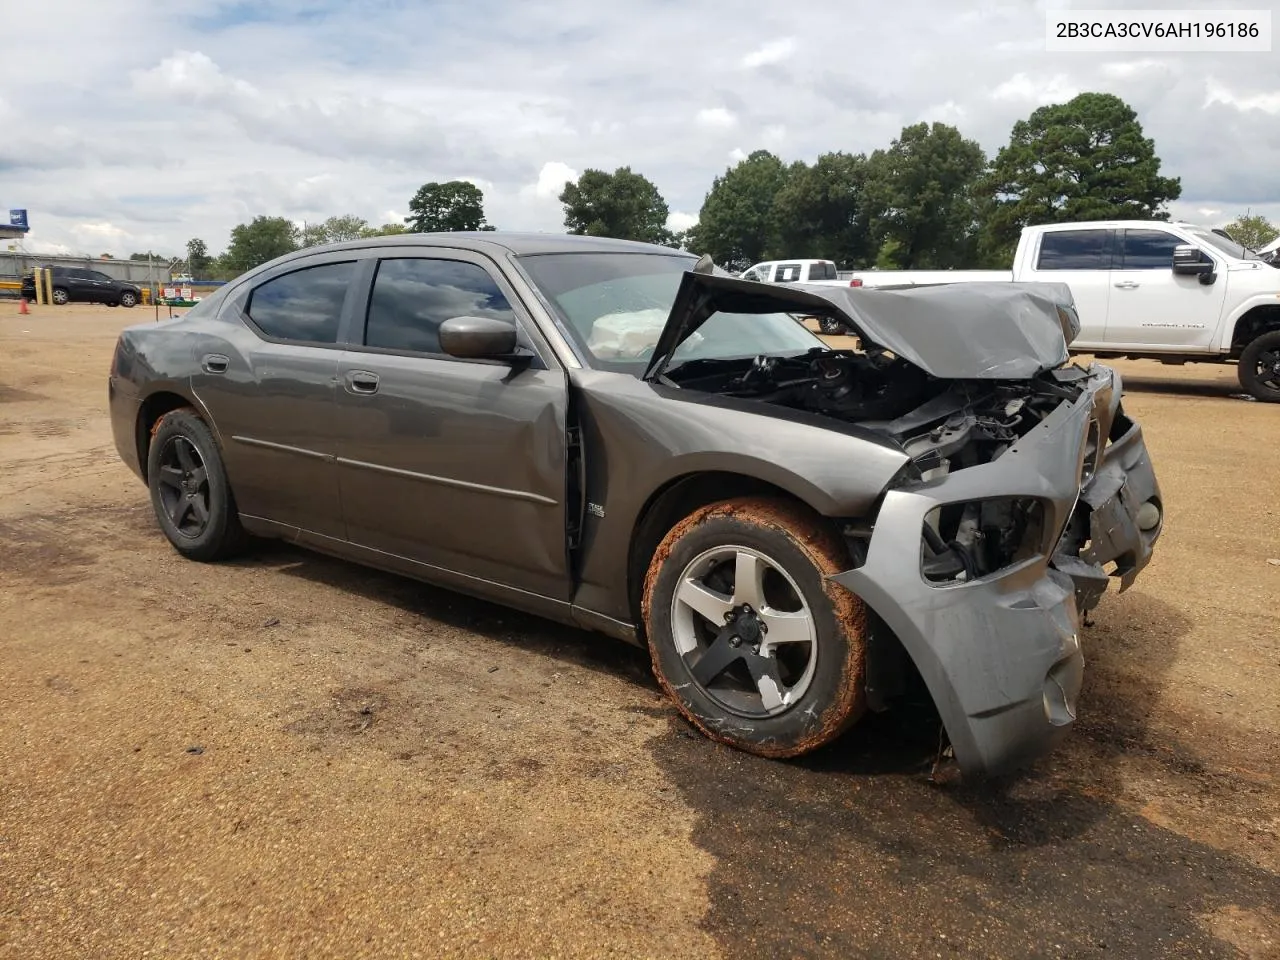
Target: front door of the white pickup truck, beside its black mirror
x,y
1151,304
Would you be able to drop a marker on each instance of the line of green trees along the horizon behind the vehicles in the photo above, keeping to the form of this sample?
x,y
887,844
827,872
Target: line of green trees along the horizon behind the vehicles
x,y
931,200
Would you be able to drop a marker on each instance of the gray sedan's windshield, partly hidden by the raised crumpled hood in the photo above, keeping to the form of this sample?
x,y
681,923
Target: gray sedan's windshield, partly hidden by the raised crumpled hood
x,y
615,307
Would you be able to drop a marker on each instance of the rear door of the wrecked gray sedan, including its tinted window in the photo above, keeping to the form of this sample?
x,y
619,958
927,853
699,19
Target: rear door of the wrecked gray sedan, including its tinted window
x,y
269,383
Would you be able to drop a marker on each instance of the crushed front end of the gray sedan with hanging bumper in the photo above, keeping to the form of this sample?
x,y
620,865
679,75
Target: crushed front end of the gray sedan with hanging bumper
x,y
1016,513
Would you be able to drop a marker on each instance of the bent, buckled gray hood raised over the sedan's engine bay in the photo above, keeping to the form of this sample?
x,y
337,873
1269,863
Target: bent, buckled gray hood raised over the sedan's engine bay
x,y
986,331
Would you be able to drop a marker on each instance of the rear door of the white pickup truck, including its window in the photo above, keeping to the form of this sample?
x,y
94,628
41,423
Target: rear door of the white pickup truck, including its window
x,y
1082,260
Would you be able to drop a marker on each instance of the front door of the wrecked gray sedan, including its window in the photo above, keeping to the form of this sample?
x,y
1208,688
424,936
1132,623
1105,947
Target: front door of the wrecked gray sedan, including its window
x,y
455,464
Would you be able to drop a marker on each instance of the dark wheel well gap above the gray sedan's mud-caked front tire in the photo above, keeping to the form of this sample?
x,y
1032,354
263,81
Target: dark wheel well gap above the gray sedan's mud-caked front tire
x,y
673,504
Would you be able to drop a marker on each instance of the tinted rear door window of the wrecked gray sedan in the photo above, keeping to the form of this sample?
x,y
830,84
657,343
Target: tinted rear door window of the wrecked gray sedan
x,y
305,305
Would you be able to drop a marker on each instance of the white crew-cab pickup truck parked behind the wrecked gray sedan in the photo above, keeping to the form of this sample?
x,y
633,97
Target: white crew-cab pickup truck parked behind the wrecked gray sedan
x,y
1149,290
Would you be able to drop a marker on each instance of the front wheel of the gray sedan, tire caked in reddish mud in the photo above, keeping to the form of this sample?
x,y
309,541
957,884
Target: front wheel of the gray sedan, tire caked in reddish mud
x,y
781,697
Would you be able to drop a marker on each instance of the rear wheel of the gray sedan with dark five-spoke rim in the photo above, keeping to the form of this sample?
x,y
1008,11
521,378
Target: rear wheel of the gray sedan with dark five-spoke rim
x,y
190,493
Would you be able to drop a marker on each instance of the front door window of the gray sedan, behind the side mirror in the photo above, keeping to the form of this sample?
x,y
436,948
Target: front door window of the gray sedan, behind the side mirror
x,y
413,298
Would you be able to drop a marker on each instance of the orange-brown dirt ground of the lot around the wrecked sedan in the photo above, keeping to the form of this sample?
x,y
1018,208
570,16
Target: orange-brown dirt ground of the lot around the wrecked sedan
x,y
290,756
